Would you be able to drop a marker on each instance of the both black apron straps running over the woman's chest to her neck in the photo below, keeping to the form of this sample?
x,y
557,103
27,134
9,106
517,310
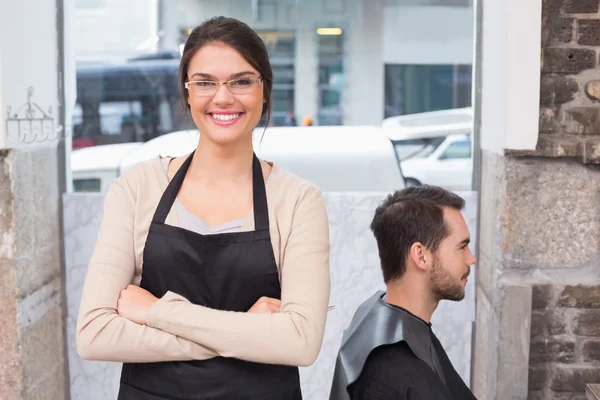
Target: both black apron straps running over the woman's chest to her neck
x,y
259,195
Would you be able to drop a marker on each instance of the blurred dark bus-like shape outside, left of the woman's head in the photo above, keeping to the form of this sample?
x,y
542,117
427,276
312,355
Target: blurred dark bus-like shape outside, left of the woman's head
x,y
133,101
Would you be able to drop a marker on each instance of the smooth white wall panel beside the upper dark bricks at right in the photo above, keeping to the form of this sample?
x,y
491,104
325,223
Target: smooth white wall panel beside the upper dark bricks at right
x,y
510,74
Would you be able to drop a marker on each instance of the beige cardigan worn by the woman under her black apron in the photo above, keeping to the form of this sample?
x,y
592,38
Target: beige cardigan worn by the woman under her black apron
x,y
179,330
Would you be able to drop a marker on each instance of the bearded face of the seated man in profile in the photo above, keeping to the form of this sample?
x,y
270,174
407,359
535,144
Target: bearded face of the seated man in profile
x,y
453,259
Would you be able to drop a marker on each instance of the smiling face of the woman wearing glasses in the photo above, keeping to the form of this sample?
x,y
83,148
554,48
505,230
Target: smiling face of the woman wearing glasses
x,y
221,116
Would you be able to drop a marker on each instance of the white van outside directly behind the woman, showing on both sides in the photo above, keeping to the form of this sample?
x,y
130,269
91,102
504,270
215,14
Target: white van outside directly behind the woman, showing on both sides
x,y
335,158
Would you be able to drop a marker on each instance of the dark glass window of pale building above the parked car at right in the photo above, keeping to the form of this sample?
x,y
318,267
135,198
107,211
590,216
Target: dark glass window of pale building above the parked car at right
x,y
413,89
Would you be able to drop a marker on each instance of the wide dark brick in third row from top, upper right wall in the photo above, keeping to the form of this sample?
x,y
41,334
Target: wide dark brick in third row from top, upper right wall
x,y
562,60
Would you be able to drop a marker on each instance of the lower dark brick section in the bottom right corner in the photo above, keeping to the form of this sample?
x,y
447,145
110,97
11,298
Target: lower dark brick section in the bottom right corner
x,y
565,341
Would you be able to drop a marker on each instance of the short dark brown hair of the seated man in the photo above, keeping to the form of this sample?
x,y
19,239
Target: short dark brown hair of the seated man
x,y
408,216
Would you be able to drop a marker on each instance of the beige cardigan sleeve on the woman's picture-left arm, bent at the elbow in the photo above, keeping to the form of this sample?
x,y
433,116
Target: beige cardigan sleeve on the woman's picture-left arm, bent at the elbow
x,y
102,334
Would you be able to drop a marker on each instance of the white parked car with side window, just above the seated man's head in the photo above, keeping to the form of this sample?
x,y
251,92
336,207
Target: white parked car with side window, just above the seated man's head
x,y
447,163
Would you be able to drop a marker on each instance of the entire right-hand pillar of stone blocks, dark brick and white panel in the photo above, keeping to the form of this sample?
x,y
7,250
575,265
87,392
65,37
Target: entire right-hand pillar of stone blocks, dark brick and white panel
x,y
538,289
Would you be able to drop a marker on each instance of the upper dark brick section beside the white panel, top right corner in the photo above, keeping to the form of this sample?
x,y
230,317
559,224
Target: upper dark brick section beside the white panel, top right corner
x,y
570,84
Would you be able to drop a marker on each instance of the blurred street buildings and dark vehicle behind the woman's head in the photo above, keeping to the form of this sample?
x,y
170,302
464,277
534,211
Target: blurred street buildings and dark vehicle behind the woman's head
x,y
327,61
